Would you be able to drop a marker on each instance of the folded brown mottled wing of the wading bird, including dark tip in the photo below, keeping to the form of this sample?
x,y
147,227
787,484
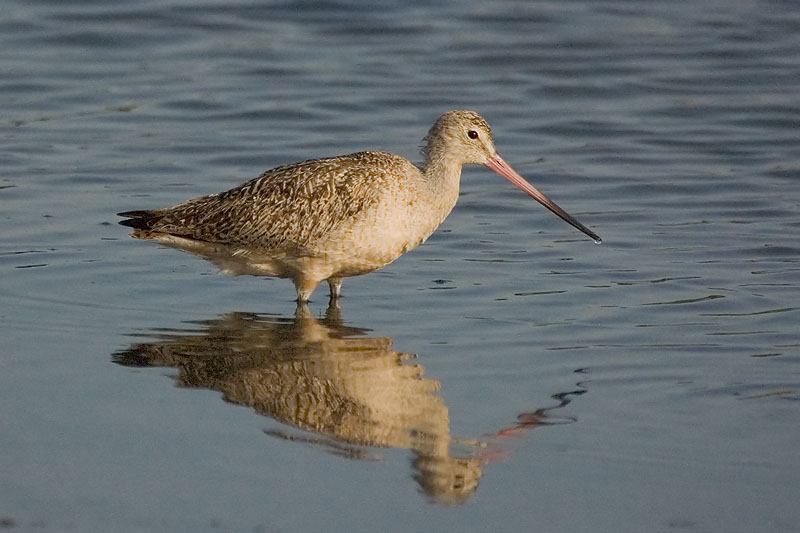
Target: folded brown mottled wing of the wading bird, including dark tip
x,y
288,206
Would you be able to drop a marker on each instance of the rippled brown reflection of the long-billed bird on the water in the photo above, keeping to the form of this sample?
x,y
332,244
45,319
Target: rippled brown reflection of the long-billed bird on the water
x,y
354,393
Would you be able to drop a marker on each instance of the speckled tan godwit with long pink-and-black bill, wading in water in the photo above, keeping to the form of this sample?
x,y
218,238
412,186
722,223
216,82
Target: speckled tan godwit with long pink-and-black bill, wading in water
x,y
330,218
